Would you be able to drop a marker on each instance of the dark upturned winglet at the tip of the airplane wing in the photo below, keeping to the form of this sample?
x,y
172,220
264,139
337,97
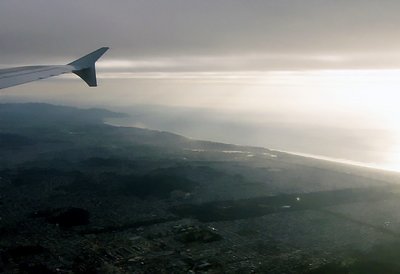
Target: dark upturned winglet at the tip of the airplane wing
x,y
85,68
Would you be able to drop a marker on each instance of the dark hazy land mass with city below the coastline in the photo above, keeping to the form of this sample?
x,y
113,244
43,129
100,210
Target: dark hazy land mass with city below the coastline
x,y
81,196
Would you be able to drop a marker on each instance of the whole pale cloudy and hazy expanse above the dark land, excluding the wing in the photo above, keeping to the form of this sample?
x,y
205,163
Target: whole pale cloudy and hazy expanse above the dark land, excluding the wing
x,y
313,76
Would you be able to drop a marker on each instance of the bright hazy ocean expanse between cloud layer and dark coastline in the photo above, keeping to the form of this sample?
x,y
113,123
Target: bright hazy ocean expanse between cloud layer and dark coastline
x,y
342,114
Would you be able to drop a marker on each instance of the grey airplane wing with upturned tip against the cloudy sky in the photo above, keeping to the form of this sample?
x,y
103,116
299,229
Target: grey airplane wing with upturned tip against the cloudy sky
x,y
83,67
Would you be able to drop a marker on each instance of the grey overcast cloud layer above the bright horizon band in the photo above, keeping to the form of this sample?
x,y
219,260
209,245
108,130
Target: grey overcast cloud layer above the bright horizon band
x,y
245,35
